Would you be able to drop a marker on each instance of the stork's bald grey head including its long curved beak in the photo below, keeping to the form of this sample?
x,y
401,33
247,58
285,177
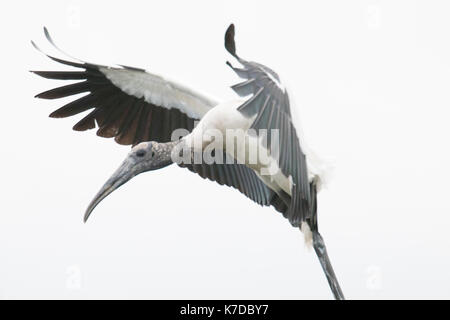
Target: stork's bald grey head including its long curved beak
x,y
145,156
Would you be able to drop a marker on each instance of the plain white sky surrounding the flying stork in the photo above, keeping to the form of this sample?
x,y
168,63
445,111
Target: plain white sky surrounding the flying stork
x,y
371,81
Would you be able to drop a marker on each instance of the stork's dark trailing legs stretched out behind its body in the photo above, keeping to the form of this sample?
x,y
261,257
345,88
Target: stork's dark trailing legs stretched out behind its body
x,y
321,250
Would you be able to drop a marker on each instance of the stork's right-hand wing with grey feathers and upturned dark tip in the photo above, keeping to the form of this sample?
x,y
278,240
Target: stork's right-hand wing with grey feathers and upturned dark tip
x,y
269,104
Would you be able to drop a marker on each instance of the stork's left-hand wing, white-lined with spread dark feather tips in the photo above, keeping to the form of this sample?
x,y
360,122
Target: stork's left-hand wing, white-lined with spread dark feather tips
x,y
127,103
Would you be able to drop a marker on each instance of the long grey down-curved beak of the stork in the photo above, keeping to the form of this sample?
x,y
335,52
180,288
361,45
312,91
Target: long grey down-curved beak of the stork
x,y
124,173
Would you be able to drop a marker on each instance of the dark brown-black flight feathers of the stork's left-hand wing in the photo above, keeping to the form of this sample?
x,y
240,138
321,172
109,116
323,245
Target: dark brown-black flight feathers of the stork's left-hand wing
x,y
127,118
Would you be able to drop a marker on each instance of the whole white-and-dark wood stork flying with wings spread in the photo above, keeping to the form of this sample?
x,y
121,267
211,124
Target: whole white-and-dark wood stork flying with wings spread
x,y
143,109
